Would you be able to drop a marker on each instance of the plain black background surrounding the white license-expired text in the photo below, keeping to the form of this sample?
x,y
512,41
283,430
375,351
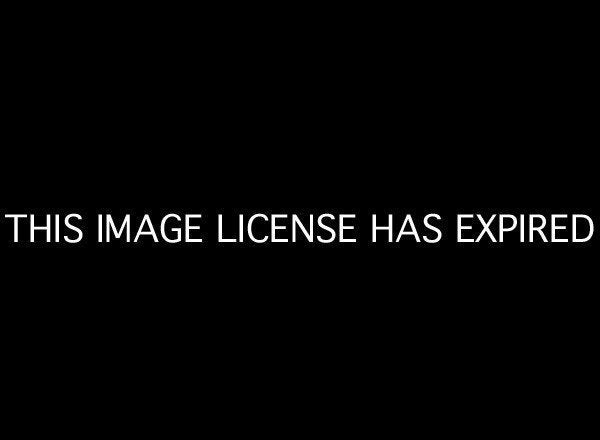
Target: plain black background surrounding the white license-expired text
x,y
368,113
